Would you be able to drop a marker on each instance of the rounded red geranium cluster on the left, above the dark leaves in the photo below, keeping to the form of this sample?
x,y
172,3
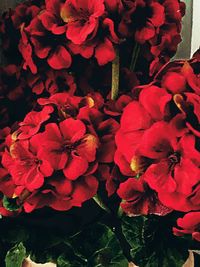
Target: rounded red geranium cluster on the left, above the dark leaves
x,y
51,159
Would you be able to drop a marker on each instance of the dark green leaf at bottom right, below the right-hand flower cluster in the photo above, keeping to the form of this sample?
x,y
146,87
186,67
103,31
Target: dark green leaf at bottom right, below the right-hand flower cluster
x,y
153,243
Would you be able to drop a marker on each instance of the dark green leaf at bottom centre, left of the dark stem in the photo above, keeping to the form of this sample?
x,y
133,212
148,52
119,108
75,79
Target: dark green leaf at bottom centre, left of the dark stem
x,y
95,246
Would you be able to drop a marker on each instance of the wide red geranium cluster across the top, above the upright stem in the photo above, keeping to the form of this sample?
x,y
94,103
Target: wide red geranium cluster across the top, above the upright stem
x,y
56,31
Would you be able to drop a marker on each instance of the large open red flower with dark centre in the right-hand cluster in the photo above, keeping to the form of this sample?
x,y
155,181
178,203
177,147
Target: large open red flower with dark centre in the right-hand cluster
x,y
175,172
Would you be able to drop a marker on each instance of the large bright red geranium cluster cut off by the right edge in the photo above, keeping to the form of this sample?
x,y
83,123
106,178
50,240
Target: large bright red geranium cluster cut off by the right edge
x,y
158,143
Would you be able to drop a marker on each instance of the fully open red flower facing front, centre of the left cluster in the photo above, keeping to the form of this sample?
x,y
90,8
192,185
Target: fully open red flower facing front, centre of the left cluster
x,y
68,147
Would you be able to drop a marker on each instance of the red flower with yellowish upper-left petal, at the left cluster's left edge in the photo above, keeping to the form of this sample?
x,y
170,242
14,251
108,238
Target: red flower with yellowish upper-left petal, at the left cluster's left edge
x,y
26,165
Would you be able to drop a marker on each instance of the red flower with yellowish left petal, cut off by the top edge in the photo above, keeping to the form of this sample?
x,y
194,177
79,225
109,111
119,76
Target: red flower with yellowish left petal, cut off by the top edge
x,y
82,18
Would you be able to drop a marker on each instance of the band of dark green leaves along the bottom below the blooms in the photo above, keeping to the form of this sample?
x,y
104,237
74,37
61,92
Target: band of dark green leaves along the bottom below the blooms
x,y
93,244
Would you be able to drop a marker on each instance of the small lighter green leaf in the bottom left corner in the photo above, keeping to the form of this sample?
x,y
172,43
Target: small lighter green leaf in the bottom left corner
x,y
15,256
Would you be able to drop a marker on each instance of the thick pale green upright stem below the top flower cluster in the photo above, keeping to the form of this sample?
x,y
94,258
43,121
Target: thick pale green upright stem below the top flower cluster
x,y
115,76
